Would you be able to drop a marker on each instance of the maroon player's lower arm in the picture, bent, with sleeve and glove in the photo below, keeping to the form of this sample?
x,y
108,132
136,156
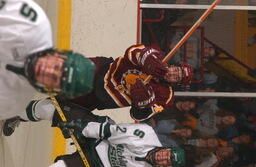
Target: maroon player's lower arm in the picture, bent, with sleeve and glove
x,y
150,99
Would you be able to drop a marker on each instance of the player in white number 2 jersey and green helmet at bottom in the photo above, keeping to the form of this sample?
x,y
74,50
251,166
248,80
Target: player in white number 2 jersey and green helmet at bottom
x,y
120,145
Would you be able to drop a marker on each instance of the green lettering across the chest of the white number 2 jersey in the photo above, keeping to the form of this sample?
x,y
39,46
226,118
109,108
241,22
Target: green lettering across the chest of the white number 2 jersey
x,y
115,155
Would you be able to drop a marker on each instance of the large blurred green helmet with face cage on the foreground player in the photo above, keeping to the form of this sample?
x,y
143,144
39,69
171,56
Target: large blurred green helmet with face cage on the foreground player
x,y
77,77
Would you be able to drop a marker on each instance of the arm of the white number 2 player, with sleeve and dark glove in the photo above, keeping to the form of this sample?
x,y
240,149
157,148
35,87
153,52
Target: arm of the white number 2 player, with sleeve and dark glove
x,y
116,134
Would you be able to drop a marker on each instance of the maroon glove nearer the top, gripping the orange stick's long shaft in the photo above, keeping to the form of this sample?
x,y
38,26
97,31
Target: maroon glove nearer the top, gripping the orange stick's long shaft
x,y
152,64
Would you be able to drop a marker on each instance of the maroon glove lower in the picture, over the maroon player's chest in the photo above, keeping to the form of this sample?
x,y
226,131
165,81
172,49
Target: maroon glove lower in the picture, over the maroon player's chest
x,y
142,96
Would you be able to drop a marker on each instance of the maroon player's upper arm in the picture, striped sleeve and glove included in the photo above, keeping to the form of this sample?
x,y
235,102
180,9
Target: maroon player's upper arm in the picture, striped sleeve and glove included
x,y
148,59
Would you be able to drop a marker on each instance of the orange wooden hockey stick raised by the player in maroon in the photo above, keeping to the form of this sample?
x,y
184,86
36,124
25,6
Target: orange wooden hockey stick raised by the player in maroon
x,y
187,35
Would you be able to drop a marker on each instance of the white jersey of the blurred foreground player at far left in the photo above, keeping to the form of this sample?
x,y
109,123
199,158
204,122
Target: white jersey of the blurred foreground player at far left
x,y
24,29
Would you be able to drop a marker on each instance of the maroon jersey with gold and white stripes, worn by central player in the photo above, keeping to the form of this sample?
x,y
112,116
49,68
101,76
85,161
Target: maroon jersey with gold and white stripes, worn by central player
x,y
125,70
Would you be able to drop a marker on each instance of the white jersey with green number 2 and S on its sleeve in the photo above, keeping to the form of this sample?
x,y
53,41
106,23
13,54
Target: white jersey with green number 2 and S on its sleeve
x,y
126,142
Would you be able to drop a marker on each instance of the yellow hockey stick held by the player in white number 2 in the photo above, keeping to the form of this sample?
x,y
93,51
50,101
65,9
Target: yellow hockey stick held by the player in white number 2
x,y
63,118
